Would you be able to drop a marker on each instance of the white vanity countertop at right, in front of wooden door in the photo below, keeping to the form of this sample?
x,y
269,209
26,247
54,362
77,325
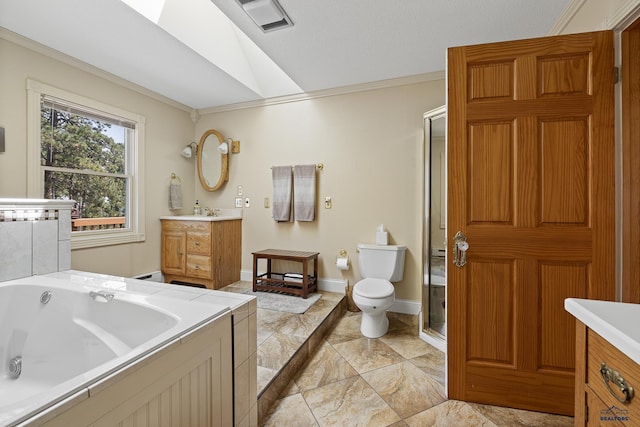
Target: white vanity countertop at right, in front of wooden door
x,y
616,322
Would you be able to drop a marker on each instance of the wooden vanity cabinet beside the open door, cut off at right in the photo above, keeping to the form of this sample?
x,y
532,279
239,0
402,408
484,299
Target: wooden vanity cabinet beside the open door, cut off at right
x,y
595,404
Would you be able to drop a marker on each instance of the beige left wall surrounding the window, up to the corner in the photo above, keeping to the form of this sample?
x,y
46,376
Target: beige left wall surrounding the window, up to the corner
x,y
168,129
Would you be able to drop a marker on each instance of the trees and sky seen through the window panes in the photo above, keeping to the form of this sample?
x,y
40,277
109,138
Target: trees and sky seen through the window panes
x,y
84,160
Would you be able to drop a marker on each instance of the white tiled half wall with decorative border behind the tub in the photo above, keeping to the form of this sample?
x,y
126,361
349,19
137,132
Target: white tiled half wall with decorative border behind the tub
x,y
35,237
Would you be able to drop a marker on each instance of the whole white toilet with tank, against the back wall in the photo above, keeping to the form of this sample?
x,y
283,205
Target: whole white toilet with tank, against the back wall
x,y
374,294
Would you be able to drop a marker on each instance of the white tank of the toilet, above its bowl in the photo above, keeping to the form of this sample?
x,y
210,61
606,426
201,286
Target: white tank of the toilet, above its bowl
x,y
381,261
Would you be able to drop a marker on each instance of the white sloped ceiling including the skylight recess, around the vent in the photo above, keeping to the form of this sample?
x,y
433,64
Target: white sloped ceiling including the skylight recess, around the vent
x,y
195,59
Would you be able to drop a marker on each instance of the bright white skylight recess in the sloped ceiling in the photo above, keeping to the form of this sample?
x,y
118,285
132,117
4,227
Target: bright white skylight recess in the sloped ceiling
x,y
201,26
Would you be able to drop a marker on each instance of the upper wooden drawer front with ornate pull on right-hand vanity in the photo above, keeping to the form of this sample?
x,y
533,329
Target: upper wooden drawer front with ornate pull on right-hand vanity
x,y
600,350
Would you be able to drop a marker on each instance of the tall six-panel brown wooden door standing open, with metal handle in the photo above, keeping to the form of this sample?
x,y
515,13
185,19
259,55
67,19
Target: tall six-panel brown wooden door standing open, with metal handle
x,y
531,185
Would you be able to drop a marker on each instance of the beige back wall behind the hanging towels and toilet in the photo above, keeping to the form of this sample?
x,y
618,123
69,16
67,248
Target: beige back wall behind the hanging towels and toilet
x,y
371,145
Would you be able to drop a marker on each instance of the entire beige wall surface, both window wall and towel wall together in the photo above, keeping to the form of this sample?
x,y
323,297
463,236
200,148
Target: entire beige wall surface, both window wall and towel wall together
x,y
369,141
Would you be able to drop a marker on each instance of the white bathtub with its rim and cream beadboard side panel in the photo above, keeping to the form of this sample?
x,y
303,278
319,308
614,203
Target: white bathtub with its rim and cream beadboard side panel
x,y
87,363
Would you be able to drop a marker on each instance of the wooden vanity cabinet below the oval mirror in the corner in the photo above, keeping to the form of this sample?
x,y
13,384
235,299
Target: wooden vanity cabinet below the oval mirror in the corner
x,y
204,253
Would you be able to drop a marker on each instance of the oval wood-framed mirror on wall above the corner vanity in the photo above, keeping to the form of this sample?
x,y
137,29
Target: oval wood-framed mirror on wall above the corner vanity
x,y
213,166
